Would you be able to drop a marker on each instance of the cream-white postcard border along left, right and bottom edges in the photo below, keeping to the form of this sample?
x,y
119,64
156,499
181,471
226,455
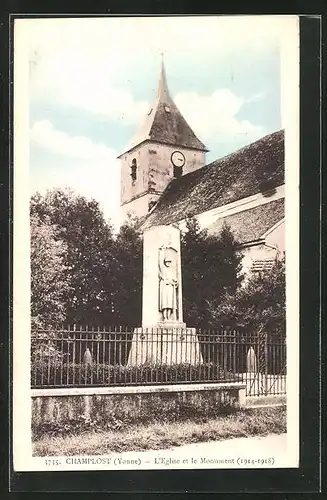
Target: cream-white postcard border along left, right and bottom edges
x,y
22,447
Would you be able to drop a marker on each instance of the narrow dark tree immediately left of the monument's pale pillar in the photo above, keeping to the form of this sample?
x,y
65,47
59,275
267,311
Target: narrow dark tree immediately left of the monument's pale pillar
x,y
128,274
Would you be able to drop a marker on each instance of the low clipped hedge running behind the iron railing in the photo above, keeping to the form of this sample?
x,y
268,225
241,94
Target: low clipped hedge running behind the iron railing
x,y
59,374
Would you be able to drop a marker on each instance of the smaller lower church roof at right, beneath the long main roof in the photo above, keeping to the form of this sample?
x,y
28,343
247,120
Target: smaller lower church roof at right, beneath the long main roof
x,y
250,225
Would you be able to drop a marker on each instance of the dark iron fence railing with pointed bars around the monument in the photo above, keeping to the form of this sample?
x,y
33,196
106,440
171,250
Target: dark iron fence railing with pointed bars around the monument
x,y
72,357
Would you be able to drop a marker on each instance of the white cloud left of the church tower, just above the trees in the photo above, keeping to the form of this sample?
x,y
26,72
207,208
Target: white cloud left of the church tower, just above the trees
x,y
90,169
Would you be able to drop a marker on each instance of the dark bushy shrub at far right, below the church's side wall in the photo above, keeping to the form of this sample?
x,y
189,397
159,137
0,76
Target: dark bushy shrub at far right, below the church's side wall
x,y
258,306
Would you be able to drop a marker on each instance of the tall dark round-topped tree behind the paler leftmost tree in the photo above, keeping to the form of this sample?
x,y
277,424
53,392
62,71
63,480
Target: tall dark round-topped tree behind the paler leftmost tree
x,y
90,253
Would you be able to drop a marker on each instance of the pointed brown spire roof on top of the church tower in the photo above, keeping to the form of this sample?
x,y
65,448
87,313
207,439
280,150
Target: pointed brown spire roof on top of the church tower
x,y
164,123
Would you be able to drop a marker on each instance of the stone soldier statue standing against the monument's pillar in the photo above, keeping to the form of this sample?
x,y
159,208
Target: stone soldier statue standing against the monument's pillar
x,y
168,283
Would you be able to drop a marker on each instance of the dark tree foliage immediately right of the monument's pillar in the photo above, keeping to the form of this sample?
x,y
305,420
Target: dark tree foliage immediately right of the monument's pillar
x,y
211,267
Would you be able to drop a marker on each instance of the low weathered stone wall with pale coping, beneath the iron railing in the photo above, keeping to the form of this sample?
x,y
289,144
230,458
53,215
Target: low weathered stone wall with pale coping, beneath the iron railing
x,y
133,403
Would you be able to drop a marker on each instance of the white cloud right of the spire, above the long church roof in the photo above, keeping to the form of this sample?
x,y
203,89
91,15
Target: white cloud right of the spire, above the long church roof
x,y
214,118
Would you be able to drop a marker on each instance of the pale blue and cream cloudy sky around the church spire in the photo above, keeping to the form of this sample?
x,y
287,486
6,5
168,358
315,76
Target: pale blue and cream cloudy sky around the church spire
x,y
91,80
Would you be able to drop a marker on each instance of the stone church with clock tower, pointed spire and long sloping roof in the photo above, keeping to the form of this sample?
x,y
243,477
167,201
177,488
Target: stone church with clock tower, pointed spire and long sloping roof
x,y
165,180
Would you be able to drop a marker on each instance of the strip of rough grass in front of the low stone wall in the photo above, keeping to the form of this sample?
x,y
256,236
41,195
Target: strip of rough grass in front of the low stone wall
x,y
155,436
